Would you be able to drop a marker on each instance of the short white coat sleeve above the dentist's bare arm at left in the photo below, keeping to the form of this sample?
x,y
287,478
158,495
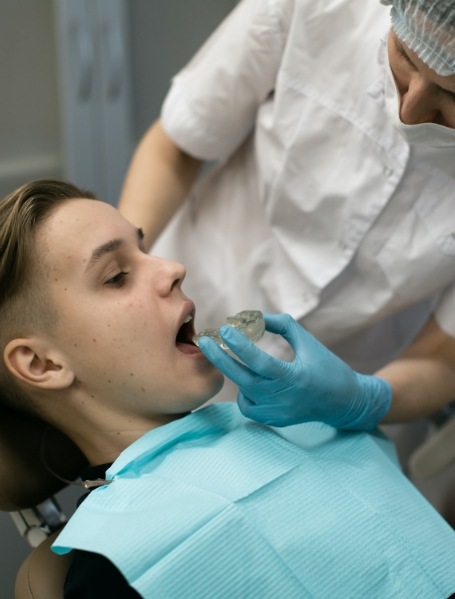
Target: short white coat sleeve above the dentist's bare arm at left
x,y
213,102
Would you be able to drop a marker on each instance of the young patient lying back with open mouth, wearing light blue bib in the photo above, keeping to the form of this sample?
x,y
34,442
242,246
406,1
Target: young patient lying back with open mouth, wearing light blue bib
x,y
96,340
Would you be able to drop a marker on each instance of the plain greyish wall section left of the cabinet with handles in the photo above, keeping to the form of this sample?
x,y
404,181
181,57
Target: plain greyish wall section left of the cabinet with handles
x,y
29,124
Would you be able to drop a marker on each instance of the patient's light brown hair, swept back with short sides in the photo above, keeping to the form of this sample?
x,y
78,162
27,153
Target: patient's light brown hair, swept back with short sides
x,y
25,306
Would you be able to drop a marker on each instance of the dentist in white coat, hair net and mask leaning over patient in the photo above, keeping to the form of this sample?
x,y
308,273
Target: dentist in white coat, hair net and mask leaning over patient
x,y
332,200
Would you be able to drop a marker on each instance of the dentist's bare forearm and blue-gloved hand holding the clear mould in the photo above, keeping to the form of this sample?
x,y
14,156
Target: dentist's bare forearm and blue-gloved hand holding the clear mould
x,y
317,385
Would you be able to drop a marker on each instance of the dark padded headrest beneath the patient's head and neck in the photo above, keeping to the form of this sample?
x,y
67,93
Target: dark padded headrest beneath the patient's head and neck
x,y
24,479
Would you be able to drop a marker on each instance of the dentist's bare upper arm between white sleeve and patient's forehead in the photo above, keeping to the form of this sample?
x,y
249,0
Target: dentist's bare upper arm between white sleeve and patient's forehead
x,y
158,180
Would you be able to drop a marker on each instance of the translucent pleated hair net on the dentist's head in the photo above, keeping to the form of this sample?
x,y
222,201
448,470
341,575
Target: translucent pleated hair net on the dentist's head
x,y
428,28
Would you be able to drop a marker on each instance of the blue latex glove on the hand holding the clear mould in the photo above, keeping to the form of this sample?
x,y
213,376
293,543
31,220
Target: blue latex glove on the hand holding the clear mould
x,y
316,385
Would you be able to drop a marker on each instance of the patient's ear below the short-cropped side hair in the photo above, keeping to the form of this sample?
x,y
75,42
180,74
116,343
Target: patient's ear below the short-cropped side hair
x,y
34,362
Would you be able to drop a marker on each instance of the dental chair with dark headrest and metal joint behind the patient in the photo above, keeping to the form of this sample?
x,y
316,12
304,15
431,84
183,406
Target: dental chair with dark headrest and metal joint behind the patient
x,y
26,491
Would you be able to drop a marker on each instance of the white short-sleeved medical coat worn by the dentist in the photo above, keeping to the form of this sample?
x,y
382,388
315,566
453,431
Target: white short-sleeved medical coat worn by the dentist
x,y
318,207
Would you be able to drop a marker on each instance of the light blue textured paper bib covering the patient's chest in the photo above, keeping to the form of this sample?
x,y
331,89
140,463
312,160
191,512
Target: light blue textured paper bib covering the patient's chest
x,y
214,505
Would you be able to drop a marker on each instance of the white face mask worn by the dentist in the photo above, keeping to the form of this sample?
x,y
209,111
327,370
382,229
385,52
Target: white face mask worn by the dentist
x,y
426,134
